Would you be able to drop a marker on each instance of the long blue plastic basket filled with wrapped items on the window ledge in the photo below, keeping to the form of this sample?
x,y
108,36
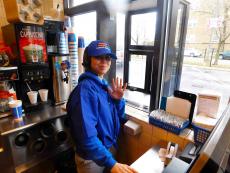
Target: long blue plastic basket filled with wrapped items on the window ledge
x,y
167,126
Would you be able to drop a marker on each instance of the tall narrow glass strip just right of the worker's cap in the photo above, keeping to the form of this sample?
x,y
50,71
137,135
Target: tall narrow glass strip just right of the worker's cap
x,y
120,45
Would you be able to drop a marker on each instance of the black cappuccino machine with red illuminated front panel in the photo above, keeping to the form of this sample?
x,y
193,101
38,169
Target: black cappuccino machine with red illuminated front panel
x,y
28,43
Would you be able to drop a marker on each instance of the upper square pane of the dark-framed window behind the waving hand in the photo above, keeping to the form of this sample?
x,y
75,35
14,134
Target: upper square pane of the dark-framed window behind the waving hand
x,y
143,28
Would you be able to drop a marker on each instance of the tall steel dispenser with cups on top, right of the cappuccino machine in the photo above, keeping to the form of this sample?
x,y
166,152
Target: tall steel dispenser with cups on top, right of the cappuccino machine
x,y
59,61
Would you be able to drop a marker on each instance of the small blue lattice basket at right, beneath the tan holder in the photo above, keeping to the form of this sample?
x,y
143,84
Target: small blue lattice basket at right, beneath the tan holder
x,y
200,134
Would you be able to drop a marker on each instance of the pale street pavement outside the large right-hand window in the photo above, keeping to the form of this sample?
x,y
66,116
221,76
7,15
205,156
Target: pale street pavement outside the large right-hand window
x,y
201,79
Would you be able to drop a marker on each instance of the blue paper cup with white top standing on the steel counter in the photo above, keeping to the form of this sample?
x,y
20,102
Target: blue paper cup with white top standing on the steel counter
x,y
16,108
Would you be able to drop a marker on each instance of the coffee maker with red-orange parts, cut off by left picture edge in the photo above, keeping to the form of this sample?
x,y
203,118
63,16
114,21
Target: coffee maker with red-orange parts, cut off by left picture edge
x,y
8,77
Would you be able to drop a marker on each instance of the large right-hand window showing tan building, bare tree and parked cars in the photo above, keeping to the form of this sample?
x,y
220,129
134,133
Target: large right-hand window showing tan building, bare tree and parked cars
x,y
207,53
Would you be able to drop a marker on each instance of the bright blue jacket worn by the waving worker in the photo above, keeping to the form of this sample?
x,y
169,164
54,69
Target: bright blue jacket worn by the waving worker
x,y
94,119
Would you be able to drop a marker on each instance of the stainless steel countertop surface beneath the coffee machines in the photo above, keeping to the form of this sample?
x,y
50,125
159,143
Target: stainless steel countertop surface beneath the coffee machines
x,y
9,125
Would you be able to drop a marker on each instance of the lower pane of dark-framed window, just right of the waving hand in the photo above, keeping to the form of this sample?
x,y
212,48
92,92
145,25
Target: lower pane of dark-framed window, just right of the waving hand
x,y
137,67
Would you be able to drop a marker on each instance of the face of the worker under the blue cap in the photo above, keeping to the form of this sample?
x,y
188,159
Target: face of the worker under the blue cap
x,y
100,65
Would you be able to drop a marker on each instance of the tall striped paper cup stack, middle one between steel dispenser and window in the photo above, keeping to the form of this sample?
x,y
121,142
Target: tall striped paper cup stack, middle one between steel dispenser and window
x,y
73,53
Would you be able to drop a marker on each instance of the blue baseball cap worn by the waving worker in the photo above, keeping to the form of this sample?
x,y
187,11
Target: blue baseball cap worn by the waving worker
x,y
98,48
